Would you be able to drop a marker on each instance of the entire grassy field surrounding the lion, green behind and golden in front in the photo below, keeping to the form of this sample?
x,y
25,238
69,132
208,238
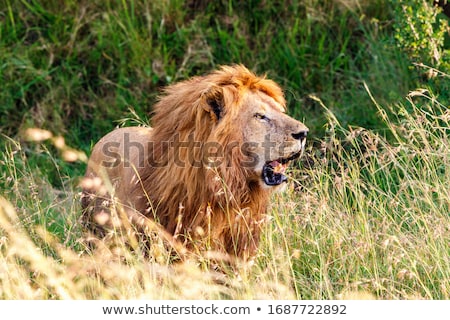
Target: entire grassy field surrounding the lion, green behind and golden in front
x,y
367,213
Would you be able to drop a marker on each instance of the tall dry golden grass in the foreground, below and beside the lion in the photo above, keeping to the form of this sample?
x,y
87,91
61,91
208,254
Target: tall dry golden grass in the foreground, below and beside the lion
x,y
367,217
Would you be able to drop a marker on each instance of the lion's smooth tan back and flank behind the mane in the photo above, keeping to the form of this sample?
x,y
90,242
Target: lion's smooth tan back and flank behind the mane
x,y
113,170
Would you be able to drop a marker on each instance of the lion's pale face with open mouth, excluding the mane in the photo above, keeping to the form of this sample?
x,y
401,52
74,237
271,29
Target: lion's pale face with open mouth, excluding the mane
x,y
271,138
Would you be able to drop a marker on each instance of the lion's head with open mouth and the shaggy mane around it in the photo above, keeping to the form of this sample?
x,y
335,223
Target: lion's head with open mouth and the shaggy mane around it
x,y
241,112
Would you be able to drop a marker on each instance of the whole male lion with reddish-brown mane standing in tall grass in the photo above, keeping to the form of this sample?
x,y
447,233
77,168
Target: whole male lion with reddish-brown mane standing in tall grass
x,y
219,147
